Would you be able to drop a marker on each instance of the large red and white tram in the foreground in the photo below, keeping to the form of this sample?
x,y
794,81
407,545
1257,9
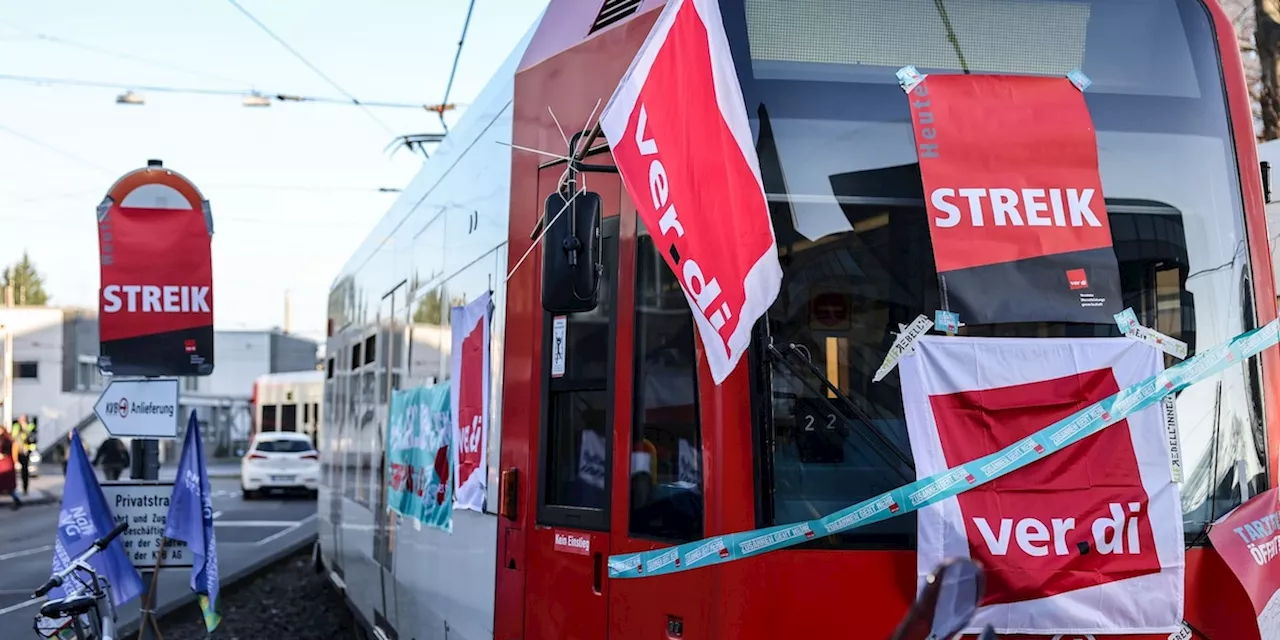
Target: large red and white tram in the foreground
x,y
624,444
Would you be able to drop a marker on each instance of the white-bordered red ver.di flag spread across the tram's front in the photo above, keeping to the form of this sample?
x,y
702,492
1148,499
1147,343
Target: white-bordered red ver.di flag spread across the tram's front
x,y
1089,541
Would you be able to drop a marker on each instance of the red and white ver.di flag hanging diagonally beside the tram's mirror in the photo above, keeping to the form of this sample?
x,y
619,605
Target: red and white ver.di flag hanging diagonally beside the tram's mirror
x,y
683,144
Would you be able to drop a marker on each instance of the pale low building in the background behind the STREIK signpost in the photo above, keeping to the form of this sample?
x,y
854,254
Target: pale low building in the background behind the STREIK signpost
x,y
56,377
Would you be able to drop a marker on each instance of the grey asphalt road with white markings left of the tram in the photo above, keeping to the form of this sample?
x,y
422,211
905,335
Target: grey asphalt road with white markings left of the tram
x,y
248,534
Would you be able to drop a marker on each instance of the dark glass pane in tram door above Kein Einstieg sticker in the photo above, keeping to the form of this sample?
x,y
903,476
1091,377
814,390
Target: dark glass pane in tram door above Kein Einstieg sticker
x,y
578,422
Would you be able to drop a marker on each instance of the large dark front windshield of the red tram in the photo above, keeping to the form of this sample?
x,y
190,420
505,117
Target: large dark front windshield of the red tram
x,y
838,159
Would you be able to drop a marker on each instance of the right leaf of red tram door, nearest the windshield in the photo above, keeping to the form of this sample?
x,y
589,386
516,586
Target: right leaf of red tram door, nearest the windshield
x,y
659,445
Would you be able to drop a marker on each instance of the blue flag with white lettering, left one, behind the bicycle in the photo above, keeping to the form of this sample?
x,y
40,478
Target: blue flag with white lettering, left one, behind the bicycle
x,y
84,519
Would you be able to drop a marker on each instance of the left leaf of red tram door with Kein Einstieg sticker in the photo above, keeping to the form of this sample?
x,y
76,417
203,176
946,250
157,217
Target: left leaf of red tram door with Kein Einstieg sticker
x,y
568,550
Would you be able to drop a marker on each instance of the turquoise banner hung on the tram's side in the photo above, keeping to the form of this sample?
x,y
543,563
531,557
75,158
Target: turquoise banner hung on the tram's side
x,y
419,455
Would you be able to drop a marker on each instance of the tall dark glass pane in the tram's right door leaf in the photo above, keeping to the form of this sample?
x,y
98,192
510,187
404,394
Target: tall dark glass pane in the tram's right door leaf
x,y
666,440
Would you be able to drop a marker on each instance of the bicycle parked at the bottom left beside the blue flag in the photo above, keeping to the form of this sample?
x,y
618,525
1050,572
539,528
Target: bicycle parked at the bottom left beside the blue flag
x,y
88,610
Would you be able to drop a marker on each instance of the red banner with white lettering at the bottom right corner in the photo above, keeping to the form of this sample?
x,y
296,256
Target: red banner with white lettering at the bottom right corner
x,y
1249,540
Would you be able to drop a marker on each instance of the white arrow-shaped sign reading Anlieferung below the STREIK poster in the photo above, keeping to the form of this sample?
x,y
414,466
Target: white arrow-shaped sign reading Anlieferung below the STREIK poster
x,y
140,409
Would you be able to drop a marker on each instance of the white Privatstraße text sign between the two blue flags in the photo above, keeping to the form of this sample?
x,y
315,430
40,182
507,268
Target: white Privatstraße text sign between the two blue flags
x,y
145,506
